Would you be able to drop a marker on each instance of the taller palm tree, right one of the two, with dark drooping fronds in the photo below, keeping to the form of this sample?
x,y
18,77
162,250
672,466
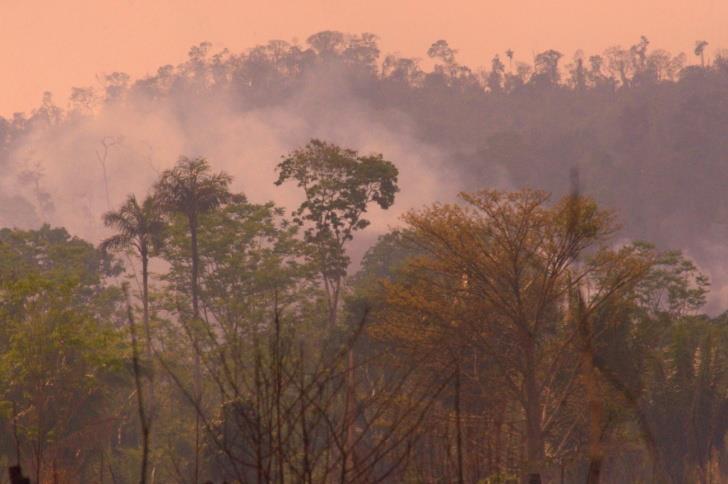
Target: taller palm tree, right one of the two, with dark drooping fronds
x,y
191,189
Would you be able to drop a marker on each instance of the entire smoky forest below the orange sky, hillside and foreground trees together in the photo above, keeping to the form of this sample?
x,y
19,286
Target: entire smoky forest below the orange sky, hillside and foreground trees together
x,y
196,284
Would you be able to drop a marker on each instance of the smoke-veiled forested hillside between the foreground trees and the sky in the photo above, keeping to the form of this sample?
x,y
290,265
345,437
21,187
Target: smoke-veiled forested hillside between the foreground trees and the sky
x,y
643,126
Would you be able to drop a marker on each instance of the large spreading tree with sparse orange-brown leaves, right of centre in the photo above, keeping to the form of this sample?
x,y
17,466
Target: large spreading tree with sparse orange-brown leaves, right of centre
x,y
511,261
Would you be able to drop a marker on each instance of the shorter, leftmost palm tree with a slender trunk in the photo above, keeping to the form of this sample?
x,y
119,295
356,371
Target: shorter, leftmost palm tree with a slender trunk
x,y
139,228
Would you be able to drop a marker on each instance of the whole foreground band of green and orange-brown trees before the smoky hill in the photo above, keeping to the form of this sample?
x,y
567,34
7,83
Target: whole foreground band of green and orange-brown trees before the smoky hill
x,y
505,337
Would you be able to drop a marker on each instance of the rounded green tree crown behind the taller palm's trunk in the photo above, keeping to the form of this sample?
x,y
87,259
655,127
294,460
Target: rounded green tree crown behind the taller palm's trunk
x,y
249,253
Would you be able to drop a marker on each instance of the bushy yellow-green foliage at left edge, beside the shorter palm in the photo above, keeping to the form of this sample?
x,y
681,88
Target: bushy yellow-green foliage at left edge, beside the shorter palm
x,y
61,353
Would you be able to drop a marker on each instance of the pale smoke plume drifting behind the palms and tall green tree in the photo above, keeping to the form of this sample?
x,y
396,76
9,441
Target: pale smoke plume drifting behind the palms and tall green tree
x,y
69,173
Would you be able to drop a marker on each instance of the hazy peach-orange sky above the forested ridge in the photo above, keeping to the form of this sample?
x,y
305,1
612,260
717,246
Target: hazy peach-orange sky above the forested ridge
x,y
55,44
